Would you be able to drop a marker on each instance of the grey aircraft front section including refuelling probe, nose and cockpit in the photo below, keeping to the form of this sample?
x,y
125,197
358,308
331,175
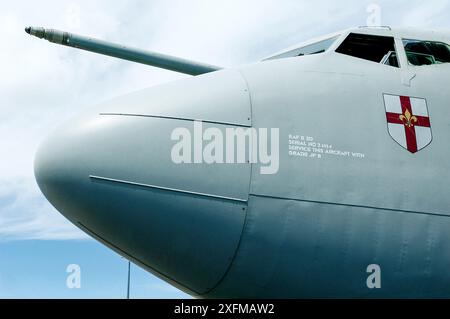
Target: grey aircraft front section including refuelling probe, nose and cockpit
x,y
321,171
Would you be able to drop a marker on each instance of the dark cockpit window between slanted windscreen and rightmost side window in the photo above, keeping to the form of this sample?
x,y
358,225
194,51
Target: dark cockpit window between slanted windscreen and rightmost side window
x,y
373,48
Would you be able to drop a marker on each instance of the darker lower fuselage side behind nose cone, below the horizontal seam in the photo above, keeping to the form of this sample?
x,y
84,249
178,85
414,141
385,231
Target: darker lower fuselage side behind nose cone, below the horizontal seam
x,y
313,250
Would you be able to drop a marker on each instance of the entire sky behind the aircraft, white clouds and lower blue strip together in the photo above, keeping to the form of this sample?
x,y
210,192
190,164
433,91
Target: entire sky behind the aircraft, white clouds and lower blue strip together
x,y
43,84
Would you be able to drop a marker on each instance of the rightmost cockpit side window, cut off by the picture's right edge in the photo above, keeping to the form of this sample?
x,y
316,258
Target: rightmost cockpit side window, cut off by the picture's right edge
x,y
426,52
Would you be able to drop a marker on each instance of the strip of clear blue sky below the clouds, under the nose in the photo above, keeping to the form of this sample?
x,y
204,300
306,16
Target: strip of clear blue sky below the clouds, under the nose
x,y
38,269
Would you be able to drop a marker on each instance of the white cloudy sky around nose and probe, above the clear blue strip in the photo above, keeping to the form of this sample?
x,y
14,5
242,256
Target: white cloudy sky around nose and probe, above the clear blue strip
x,y
42,84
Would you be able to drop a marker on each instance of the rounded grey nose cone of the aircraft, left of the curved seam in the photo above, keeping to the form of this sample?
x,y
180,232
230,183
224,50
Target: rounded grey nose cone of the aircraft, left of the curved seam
x,y
111,173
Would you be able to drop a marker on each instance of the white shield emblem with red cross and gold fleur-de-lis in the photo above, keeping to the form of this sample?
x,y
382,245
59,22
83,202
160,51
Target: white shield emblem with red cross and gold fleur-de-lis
x,y
408,121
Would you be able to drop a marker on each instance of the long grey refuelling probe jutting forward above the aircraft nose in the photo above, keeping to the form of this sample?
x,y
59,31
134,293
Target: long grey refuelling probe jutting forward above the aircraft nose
x,y
122,52
